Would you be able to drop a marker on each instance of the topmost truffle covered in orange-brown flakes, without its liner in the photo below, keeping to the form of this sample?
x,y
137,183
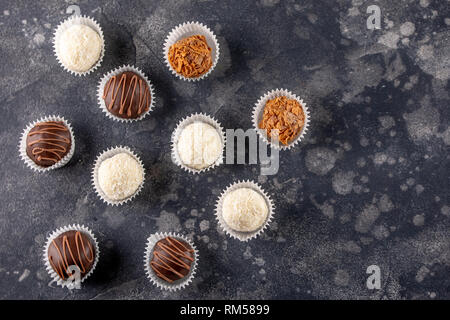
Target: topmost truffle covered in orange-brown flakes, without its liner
x,y
190,57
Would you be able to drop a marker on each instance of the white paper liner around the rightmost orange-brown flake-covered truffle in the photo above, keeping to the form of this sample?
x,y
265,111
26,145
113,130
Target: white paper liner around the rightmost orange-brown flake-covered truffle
x,y
258,114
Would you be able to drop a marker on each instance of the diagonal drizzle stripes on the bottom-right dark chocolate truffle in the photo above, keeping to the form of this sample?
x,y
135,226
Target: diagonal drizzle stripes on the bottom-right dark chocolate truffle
x,y
174,255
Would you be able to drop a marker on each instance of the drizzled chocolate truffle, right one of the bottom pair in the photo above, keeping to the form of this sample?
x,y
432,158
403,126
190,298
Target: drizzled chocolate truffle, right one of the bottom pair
x,y
172,259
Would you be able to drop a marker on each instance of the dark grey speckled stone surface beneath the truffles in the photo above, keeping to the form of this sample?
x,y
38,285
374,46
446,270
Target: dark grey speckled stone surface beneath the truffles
x,y
369,185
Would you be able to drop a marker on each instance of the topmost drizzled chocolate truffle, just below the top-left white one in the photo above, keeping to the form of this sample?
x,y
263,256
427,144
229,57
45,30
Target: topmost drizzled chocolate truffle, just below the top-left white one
x,y
127,95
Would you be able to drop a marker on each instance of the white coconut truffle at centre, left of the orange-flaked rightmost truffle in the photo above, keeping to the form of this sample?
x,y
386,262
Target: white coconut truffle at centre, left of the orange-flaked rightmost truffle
x,y
199,145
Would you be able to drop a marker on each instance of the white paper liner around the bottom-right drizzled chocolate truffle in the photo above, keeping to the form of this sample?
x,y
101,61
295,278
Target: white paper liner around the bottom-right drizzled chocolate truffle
x,y
160,283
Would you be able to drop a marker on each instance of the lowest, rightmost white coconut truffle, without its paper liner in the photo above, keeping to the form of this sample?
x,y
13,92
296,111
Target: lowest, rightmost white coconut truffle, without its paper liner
x,y
244,210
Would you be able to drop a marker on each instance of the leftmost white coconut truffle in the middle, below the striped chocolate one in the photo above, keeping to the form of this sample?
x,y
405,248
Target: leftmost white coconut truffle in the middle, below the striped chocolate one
x,y
120,176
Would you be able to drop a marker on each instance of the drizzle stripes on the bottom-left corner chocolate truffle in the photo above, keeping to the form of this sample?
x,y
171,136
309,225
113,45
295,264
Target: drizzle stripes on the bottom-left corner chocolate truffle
x,y
62,268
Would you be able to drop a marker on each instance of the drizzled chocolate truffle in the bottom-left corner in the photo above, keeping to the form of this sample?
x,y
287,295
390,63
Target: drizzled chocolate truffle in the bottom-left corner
x,y
71,248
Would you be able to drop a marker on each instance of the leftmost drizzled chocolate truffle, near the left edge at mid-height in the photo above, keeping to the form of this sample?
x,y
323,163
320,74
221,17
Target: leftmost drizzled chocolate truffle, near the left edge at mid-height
x,y
48,142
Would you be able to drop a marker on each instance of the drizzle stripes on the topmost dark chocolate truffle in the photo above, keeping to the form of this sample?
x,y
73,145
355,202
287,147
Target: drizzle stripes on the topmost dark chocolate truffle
x,y
144,93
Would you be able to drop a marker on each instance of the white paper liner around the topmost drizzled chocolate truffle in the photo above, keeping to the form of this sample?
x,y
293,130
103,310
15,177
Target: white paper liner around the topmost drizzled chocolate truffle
x,y
104,80
